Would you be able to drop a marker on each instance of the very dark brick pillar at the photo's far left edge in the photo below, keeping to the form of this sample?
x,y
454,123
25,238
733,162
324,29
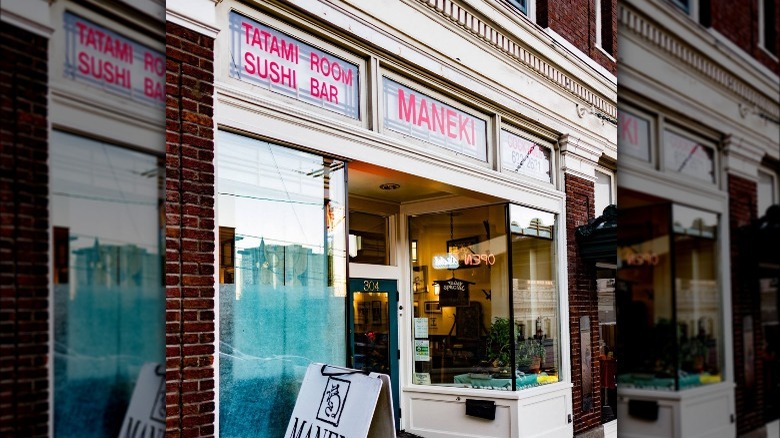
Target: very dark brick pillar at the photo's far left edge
x,y
24,234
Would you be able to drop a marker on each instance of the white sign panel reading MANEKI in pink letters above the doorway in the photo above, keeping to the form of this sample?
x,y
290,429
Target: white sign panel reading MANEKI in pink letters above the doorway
x,y
412,113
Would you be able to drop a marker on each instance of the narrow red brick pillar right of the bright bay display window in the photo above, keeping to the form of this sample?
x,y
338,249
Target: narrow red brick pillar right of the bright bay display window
x,y
583,301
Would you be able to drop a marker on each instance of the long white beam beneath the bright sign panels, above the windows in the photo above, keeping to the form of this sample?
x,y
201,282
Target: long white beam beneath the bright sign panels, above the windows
x,y
293,125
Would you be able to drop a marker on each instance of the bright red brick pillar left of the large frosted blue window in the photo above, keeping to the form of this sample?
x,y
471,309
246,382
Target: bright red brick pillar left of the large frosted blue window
x,y
189,233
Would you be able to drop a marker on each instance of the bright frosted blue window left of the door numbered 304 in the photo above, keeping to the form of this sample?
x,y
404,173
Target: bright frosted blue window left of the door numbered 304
x,y
282,275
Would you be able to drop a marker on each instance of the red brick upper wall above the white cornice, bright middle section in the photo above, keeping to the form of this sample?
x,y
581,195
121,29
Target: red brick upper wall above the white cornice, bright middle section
x,y
575,20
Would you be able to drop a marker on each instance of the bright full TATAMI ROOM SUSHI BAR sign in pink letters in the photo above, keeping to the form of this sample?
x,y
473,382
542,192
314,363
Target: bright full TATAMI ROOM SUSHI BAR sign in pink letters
x,y
278,62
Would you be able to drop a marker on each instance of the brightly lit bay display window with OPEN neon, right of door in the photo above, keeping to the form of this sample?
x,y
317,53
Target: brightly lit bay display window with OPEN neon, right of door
x,y
469,330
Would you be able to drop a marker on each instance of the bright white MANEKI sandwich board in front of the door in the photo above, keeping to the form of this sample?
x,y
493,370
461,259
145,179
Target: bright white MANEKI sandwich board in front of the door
x,y
336,402
